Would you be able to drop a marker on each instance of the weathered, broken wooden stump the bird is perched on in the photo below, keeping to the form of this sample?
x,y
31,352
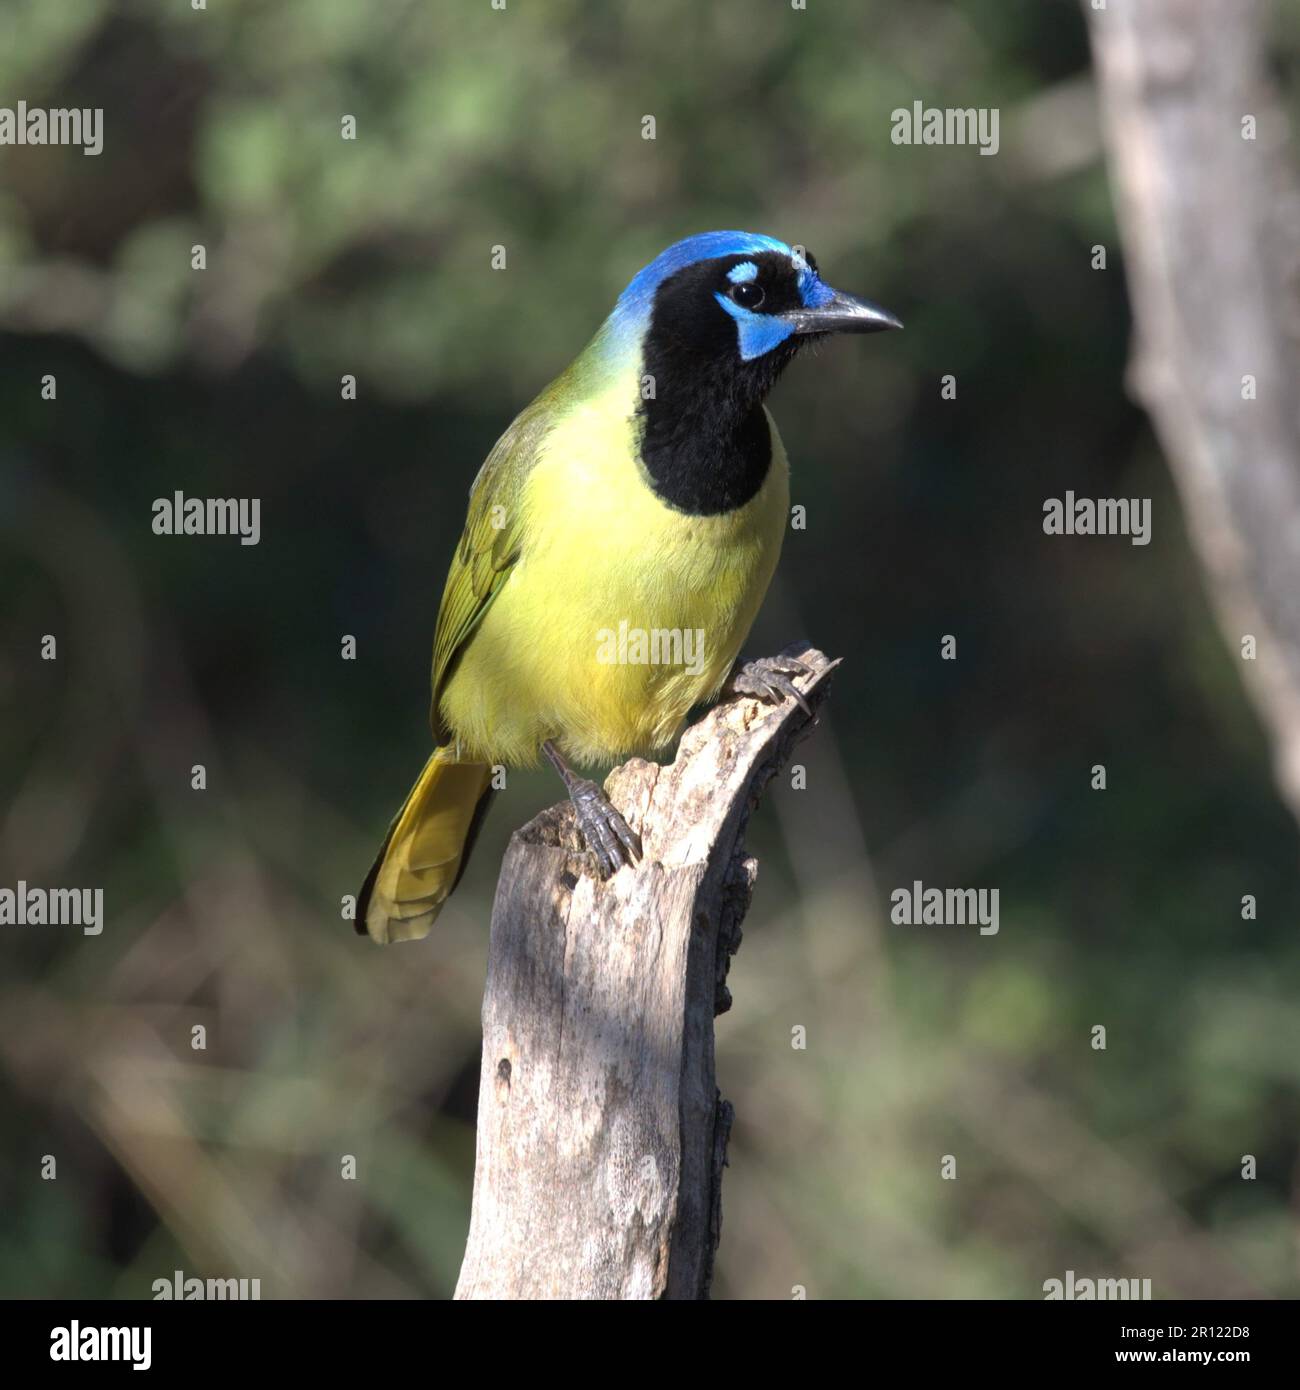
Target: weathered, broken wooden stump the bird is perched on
x,y
601,1131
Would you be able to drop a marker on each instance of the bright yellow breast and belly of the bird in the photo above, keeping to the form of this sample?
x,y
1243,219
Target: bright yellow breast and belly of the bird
x,y
621,614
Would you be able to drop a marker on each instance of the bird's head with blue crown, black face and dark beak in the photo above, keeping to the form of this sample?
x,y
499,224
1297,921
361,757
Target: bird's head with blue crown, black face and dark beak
x,y
736,308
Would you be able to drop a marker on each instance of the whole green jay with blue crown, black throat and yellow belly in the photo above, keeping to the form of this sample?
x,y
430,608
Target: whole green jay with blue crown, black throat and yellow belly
x,y
619,541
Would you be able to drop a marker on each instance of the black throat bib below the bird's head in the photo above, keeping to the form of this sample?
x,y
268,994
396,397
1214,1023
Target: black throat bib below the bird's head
x,y
703,432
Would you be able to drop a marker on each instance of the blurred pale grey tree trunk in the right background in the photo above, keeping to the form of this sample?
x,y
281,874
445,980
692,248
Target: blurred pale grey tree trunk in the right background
x,y
1212,234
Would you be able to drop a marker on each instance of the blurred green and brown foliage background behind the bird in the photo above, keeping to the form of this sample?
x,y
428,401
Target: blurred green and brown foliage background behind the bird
x,y
523,129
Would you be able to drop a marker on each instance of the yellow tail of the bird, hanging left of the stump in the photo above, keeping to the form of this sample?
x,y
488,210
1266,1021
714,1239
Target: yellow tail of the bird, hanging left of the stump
x,y
428,847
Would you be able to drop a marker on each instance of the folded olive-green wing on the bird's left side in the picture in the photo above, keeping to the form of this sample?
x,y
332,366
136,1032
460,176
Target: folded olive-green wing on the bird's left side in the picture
x,y
490,546
